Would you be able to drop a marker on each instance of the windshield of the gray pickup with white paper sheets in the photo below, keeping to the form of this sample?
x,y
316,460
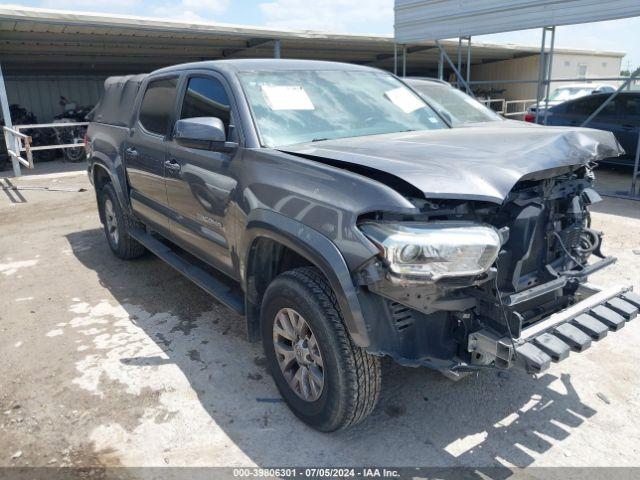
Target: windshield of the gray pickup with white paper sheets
x,y
292,107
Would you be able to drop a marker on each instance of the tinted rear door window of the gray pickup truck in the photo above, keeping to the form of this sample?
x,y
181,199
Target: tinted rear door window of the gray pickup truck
x,y
157,105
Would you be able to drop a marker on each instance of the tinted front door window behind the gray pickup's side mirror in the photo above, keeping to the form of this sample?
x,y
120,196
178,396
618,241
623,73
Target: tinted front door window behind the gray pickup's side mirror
x,y
206,97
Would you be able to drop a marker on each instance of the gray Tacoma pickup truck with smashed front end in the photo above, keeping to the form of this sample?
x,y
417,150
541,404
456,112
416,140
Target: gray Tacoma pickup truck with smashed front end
x,y
346,219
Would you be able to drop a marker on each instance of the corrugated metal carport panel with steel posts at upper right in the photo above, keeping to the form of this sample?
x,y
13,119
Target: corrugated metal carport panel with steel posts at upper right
x,y
435,20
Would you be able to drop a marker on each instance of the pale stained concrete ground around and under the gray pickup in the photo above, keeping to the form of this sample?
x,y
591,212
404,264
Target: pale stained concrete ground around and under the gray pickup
x,y
113,363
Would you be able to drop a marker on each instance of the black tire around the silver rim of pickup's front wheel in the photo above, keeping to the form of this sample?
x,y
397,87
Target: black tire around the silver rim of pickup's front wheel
x,y
352,377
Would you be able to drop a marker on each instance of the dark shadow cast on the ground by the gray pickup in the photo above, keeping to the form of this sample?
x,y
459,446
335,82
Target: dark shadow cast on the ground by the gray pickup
x,y
484,421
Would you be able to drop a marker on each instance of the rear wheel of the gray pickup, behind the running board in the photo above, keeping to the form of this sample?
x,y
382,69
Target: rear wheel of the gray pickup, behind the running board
x,y
122,244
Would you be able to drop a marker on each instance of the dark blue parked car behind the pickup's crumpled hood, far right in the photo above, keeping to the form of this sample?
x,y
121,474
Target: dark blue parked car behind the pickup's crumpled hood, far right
x,y
621,117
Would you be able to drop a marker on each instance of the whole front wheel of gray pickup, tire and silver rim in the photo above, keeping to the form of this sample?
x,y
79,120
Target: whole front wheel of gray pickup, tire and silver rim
x,y
327,381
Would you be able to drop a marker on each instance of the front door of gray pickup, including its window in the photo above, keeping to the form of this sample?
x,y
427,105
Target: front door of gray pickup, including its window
x,y
200,181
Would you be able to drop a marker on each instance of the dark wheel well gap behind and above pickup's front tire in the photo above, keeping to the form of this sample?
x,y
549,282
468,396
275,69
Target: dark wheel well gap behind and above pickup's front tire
x,y
267,259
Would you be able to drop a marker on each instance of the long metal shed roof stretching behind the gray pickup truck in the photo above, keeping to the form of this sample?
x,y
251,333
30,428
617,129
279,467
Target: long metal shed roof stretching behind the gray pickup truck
x,y
38,41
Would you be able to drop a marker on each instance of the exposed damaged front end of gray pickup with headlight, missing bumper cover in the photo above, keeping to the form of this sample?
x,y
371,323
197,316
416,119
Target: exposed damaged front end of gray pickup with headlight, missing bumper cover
x,y
468,284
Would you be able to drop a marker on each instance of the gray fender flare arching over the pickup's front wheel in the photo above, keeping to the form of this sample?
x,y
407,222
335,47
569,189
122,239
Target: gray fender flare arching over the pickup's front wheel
x,y
321,252
